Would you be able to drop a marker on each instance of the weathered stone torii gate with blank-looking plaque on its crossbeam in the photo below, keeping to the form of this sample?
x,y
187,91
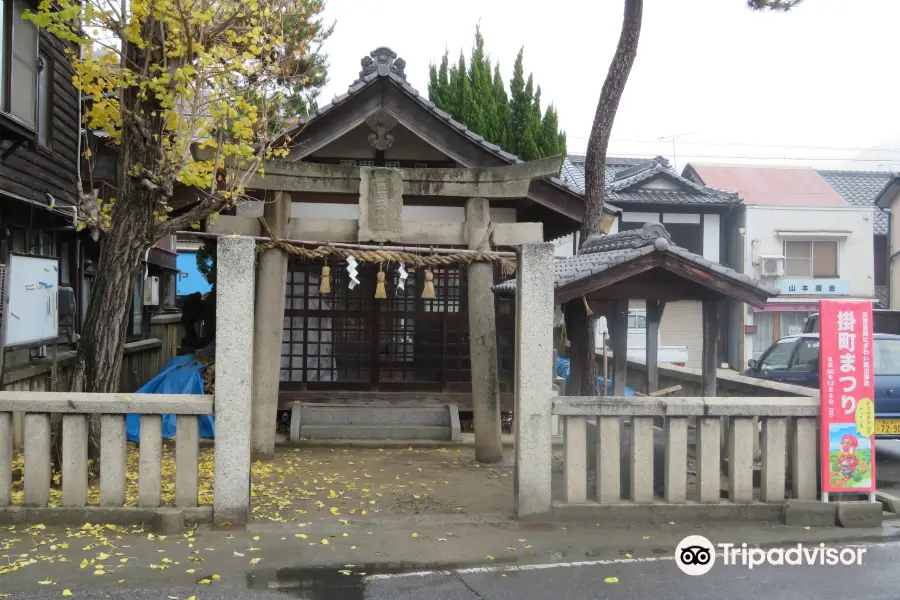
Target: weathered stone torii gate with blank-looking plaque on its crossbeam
x,y
380,191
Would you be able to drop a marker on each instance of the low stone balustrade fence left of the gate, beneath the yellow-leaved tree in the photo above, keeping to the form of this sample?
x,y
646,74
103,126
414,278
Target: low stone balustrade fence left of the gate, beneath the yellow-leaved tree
x,y
112,408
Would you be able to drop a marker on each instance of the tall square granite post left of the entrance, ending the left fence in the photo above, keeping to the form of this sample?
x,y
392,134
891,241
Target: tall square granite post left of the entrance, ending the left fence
x,y
234,352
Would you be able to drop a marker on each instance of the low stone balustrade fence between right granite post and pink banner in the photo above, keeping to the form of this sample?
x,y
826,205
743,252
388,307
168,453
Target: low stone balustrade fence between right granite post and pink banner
x,y
788,448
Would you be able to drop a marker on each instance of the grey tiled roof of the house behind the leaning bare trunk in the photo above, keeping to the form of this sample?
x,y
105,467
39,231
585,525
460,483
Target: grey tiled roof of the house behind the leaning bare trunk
x,y
624,177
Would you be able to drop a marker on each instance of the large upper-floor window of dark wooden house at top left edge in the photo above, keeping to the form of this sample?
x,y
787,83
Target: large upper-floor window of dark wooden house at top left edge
x,y
18,64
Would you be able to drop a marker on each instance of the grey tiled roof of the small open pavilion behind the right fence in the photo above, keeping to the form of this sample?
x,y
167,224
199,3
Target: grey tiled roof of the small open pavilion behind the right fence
x,y
604,252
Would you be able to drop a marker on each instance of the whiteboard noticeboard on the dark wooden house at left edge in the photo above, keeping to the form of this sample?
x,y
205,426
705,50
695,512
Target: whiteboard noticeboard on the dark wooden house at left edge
x,y
30,315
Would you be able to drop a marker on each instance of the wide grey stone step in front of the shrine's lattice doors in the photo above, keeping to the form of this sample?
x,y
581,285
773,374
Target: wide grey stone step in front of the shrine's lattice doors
x,y
374,422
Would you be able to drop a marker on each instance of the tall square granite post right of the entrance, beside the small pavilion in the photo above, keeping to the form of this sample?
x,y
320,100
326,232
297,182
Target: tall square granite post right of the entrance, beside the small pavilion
x,y
534,344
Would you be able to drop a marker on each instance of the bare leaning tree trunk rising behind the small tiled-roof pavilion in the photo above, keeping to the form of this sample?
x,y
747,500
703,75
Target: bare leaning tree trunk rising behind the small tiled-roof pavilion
x,y
583,362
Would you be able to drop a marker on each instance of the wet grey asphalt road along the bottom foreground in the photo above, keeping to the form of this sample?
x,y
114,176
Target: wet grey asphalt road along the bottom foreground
x,y
649,578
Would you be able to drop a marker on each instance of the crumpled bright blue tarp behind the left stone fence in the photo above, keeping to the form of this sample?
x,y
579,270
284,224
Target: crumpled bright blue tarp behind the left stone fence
x,y
182,375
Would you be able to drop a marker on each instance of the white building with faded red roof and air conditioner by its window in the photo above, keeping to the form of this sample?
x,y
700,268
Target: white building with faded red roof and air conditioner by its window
x,y
798,234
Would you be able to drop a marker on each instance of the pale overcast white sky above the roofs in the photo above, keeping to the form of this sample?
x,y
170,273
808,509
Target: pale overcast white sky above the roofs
x,y
814,86
